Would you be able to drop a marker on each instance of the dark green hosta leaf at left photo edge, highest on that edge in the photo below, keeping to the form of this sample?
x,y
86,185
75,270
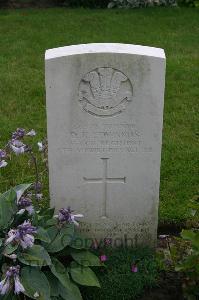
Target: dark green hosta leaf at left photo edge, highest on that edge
x,y
8,208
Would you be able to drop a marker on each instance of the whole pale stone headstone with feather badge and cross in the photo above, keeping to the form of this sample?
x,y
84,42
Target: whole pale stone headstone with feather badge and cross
x,y
105,115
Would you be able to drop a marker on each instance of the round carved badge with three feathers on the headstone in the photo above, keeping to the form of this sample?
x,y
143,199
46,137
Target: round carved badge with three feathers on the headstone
x,y
105,92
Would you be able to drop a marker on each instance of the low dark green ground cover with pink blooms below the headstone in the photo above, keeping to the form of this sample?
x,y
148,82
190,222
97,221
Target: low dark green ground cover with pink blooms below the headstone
x,y
117,280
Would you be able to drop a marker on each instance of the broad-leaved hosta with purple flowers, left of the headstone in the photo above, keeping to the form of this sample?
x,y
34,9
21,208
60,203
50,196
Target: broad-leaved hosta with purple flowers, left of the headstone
x,y
41,256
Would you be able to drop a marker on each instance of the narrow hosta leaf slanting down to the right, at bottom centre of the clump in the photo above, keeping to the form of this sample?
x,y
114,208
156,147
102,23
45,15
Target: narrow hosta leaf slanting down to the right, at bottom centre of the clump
x,y
59,271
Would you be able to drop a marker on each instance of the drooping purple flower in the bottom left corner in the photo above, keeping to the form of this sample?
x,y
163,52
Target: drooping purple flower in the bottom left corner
x,y
12,275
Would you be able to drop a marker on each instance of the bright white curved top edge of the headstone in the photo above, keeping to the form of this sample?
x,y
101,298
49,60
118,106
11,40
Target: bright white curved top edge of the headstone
x,y
104,48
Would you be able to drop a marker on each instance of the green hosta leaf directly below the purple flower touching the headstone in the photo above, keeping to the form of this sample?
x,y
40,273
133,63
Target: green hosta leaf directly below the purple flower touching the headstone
x,y
59,238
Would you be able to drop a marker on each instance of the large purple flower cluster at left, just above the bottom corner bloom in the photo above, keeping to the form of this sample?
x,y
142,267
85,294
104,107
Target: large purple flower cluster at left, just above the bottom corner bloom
x,y
23,235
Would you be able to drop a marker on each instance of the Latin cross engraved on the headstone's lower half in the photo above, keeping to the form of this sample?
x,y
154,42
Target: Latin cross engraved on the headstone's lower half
x,y
105,180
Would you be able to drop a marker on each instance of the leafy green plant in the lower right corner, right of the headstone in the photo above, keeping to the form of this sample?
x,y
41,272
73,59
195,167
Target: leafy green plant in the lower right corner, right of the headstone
x,y
182,255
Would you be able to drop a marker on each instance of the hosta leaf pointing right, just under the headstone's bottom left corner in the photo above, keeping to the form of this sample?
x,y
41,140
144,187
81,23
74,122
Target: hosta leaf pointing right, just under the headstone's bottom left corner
x,y
85,258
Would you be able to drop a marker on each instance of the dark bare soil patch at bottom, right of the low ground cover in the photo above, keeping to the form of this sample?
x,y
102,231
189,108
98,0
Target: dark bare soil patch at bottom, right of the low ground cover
x,y
169,288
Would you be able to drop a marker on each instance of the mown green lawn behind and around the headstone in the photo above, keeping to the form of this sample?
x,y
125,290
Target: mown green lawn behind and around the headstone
x,y
26,34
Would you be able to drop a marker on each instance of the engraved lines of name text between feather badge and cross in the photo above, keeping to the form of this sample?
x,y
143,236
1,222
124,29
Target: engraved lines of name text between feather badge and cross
x,y
106,138
